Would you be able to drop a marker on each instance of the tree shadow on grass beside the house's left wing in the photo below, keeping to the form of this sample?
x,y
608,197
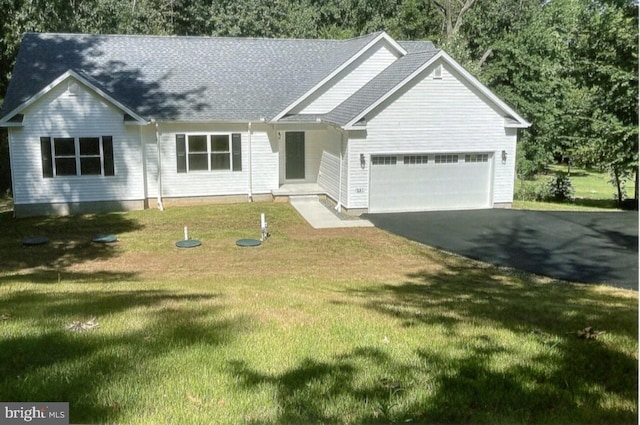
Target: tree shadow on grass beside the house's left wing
x,y
69,240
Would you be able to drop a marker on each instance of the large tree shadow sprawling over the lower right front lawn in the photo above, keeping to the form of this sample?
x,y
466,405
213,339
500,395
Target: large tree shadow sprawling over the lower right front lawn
x,y
511,355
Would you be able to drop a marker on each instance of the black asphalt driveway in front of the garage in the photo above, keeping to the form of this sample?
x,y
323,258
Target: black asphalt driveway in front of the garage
x,y
588,247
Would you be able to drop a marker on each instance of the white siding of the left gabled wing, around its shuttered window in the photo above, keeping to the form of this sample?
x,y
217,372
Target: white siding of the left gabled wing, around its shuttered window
x,y
59,114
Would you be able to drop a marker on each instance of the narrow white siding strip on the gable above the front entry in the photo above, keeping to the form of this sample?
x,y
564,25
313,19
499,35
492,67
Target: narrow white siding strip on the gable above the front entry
x,y
349,80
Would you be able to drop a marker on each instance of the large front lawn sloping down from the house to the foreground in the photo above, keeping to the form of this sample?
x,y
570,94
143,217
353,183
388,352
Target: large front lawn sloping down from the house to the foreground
x,y
315,326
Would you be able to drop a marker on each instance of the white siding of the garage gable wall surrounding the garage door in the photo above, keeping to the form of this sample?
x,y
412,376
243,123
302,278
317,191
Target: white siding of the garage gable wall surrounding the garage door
x,y
437,116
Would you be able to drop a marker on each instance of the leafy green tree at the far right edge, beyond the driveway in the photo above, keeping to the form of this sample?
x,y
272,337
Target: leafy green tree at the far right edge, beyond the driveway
x,y
605,56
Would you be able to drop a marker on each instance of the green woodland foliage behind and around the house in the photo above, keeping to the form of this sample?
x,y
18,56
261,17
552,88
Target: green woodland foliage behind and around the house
x,y
568,66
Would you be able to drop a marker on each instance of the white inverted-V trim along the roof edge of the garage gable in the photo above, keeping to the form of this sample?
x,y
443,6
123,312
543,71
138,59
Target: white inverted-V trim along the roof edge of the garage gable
x,y
521,122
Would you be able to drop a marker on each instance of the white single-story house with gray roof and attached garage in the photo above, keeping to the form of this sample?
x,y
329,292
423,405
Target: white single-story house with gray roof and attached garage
x,y
117,122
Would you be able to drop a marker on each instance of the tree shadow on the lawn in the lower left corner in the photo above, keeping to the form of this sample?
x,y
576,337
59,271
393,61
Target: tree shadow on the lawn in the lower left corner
x,y
56,364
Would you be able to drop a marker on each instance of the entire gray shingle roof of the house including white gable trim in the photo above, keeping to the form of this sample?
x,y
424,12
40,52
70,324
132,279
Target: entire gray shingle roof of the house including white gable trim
x,y
194,79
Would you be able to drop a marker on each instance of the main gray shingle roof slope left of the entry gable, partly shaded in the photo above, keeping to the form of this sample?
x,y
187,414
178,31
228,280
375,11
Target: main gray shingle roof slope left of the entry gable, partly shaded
x,y
182,78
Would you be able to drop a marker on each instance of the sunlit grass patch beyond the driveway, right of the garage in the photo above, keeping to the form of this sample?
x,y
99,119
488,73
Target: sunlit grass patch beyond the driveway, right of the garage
x,y
593,190
